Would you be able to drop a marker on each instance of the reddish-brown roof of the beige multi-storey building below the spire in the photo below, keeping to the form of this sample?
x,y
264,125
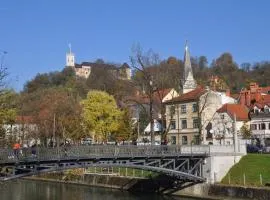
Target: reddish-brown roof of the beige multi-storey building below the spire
x,y
189,96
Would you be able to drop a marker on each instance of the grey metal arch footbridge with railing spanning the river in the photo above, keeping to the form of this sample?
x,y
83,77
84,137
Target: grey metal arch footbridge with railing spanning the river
x,y
184,163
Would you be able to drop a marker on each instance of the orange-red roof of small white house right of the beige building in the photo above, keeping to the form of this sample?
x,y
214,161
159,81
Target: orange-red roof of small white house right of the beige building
x,y
239,110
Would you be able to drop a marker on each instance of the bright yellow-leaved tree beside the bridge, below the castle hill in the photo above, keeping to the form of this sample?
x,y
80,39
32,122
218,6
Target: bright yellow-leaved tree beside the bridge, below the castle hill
x,y
100,114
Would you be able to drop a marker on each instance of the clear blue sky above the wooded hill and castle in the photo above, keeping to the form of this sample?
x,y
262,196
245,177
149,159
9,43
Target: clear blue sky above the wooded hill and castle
x,y
36,33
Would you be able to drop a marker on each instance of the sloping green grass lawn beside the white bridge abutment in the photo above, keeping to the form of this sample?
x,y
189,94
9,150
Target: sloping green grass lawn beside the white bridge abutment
x,y
251,167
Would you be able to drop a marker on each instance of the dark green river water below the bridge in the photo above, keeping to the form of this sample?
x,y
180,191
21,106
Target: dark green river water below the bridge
x,y
39,190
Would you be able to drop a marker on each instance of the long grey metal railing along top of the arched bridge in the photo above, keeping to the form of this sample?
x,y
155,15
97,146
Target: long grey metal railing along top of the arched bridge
x,y
98,151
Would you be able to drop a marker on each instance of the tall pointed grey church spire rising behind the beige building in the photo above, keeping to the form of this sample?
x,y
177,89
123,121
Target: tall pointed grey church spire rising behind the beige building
x,y
188,82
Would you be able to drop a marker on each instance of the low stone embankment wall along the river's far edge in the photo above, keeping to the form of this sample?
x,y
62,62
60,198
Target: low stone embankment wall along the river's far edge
x,y
159,185
